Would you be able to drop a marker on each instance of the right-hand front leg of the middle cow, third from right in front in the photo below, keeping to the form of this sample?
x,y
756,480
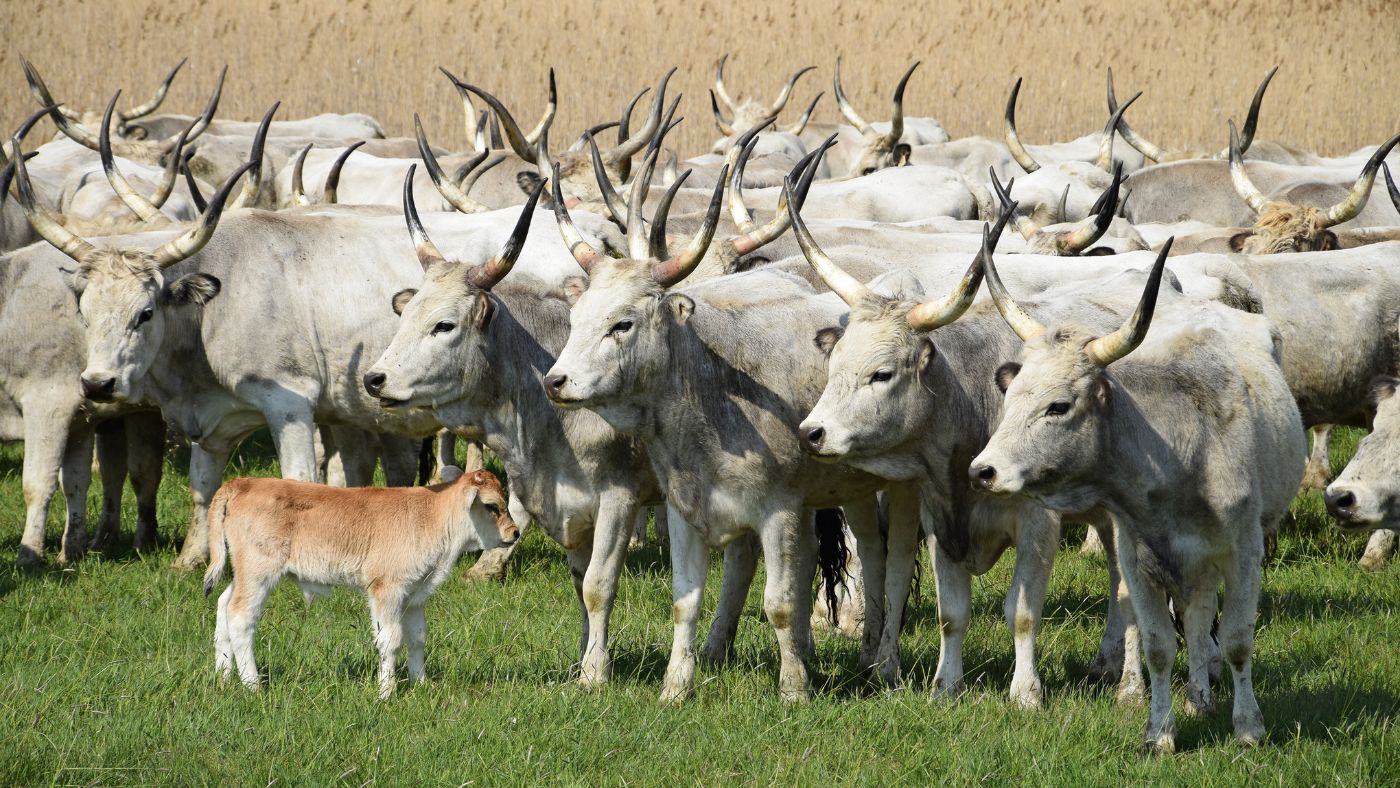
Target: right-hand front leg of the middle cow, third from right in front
x,y
789,561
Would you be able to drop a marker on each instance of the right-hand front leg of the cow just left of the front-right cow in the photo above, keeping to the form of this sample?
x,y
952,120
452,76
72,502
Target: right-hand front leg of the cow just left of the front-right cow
x,y
1037,544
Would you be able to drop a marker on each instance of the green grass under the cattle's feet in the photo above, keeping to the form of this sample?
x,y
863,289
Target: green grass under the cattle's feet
x,y
107,677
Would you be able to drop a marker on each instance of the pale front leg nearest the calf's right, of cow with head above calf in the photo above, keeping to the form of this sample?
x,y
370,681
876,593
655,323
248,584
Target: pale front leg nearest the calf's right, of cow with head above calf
x,y
615,516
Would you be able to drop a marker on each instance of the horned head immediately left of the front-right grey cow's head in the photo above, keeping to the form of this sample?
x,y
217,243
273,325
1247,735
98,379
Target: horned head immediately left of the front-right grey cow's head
x,y
878,393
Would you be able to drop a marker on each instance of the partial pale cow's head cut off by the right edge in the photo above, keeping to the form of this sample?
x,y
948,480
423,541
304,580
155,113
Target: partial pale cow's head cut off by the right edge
x,y
1367,495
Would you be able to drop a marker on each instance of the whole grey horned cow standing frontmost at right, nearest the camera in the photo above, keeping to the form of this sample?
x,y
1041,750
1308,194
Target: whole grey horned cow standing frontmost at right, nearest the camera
x,y
1192,447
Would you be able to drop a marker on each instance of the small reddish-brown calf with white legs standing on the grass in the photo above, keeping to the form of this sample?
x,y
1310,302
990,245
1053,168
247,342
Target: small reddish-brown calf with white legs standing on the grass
x,y
398,545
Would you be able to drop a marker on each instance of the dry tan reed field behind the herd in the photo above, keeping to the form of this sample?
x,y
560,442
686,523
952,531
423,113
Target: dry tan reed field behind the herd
x,y
1198,61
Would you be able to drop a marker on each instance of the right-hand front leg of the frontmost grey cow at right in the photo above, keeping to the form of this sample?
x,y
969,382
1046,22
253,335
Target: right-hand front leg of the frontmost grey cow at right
x,y
1242,587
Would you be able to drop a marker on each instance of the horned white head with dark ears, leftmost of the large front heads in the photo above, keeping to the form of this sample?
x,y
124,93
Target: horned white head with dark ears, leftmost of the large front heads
x,y
122,295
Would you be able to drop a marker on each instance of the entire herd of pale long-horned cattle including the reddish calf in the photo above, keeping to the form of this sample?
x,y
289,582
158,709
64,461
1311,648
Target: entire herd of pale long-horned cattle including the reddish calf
x,y
1158,332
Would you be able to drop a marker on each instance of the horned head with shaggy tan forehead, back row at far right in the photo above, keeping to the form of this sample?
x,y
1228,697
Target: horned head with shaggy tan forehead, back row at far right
x,y
1286,227
